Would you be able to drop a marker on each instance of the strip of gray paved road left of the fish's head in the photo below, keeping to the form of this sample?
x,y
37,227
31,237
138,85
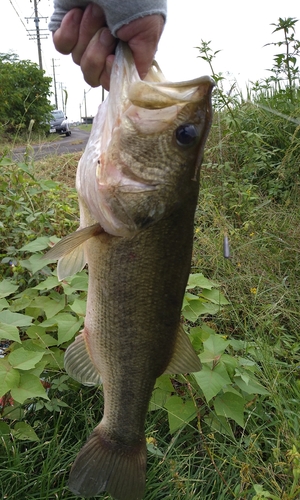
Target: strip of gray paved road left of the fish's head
x,y
76,142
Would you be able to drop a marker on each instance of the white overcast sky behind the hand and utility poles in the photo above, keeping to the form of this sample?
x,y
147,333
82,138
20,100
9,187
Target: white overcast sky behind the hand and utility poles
x,y
239,29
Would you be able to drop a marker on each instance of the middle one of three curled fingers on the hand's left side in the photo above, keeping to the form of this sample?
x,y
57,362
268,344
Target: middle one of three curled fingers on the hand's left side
x,y
92,21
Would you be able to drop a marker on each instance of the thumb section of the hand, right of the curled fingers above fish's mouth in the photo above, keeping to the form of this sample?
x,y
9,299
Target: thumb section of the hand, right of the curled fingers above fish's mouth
x,y
142,36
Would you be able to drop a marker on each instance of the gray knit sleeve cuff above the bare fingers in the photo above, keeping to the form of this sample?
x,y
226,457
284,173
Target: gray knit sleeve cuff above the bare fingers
x,y
117,12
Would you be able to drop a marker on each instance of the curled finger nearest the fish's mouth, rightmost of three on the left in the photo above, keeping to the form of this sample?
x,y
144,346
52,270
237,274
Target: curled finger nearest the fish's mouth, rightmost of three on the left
x,y
97,59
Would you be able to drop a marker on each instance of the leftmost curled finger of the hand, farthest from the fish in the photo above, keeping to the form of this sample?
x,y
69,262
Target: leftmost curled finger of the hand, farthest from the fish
x,y
66,37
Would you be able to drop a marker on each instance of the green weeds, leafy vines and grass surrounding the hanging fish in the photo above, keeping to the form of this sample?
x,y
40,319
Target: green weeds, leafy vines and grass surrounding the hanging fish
x,y
232,431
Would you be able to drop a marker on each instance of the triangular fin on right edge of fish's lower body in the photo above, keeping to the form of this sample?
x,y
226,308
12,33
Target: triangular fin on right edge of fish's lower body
x,y
184,359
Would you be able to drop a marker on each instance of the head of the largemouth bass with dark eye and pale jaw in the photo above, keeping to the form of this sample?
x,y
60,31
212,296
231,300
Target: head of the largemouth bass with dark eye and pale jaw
x,y
146,147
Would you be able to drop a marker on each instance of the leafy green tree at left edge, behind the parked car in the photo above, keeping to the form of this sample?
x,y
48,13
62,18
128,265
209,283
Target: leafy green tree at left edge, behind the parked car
x,y
24,95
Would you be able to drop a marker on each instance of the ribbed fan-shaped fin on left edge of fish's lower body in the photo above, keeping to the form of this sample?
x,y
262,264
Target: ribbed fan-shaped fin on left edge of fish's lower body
x,y
79,364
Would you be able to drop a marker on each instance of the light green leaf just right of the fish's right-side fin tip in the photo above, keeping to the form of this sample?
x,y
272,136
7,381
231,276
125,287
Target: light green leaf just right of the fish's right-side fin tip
x,y
211,382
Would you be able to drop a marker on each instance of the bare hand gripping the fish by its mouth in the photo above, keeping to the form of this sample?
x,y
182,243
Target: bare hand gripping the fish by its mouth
x,y
85,34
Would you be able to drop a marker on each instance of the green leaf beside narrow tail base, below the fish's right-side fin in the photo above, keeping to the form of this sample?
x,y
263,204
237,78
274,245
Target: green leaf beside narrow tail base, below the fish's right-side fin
x,y
179,412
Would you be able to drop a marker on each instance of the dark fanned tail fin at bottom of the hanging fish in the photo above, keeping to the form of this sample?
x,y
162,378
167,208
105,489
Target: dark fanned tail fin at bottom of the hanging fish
x,y
106,465
